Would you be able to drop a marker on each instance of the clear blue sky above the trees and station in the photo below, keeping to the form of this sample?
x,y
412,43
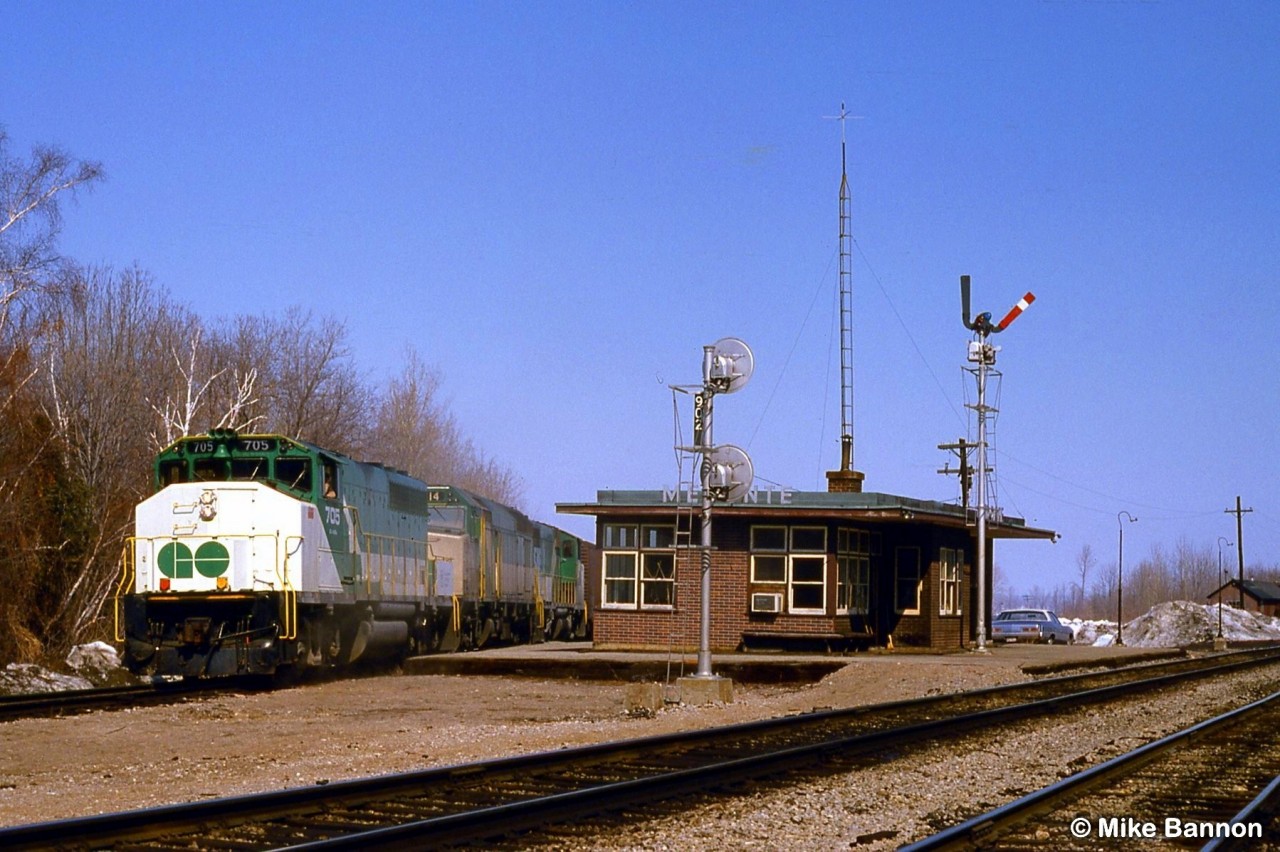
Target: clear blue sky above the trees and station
x,y
559,204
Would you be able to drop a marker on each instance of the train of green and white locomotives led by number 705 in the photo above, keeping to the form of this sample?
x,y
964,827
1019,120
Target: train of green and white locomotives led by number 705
x,y
260,555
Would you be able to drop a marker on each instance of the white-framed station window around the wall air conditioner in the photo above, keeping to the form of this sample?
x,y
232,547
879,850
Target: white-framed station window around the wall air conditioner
x,y
796,560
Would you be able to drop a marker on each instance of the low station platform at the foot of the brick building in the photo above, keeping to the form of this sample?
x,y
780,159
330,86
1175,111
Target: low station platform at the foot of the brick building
x,y
582,661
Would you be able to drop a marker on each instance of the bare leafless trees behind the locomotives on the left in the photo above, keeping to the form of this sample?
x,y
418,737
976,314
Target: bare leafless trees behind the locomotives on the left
x,y
100,368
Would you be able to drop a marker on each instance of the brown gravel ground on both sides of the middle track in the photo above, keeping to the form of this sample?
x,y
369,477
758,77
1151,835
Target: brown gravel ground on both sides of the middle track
x,y
248,743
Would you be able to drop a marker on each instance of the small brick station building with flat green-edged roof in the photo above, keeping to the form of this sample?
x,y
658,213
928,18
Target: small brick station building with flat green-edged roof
x,y
789,569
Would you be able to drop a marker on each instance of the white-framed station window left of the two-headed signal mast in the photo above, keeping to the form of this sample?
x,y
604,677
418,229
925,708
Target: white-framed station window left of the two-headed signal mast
x,y
639,567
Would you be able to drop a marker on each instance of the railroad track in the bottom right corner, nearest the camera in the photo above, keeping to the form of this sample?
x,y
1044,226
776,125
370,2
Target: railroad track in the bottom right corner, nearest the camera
x,y
1194,787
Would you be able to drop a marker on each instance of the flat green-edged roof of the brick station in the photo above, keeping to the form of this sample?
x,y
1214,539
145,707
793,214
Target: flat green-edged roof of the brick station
x,y
778,505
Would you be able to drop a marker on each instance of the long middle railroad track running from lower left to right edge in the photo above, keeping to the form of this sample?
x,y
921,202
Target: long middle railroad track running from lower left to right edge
x,y
479,803
